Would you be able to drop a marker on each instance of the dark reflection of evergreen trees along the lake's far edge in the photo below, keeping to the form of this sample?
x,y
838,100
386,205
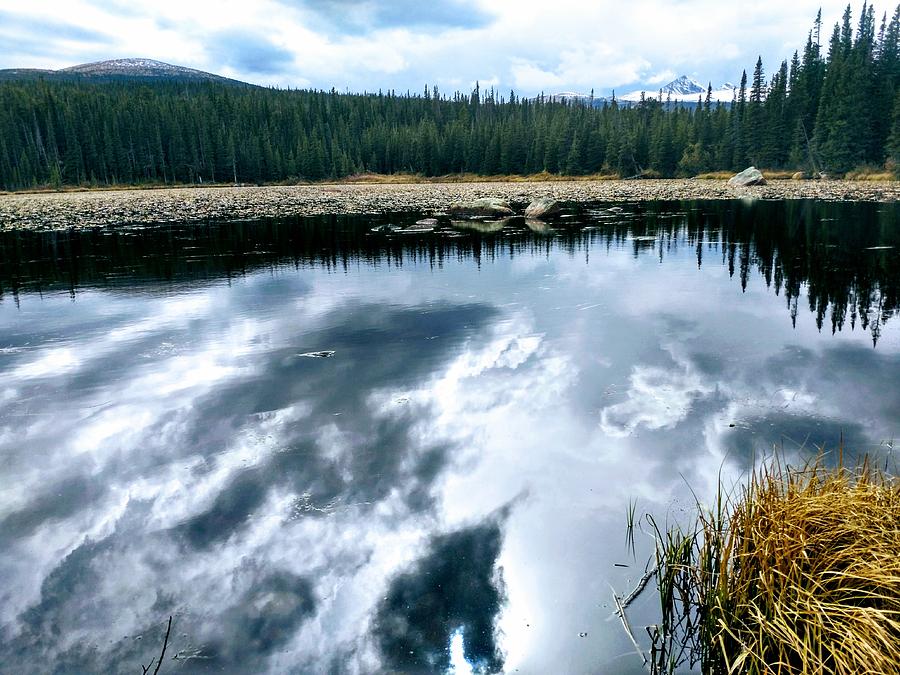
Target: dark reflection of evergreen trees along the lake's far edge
x,y
843,257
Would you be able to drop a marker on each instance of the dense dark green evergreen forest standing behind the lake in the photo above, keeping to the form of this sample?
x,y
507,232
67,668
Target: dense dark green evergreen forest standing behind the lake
x,y
829,109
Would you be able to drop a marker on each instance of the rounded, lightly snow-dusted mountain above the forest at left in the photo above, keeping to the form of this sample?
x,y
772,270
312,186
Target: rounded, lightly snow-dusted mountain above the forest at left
x,y
119,69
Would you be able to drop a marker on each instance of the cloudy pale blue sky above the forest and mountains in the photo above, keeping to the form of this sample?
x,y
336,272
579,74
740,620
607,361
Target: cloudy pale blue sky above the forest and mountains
x,y
529,46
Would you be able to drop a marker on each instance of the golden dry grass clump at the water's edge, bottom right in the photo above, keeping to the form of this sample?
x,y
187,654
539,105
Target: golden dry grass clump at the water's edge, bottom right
x,y
798,572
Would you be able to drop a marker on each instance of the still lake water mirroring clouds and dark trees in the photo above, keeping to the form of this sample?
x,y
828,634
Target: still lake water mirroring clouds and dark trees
x,y
324,449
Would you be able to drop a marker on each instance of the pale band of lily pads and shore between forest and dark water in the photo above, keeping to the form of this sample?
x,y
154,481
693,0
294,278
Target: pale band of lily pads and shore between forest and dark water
x,y
98,208
